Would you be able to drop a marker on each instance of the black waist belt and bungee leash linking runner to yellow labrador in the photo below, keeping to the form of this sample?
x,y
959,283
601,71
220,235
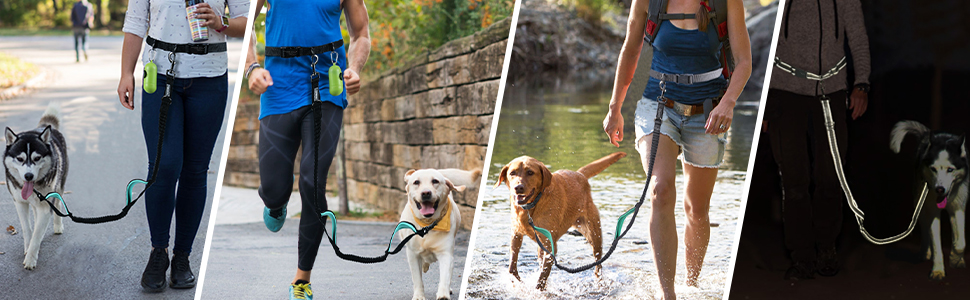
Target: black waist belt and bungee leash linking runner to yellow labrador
x,y
335,74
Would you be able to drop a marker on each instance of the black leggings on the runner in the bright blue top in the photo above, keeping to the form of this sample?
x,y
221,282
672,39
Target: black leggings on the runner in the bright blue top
x,y
279,139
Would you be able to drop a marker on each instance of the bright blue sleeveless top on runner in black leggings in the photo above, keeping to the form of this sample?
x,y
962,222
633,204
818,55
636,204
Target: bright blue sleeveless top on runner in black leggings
x,y
301,23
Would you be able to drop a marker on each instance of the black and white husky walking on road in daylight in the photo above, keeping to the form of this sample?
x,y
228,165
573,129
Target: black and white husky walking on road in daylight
x,y
36,160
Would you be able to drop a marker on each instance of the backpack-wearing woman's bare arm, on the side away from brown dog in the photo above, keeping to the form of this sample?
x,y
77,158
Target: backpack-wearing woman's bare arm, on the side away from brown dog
x,y
723,115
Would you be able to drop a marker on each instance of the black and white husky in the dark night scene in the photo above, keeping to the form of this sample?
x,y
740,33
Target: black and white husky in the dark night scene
x,y
943,165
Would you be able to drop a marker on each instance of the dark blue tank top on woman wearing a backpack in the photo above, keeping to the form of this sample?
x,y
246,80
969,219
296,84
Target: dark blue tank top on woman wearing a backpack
x,y
681,51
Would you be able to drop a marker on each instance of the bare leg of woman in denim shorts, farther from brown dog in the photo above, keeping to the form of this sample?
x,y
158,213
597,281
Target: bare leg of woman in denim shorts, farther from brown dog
x,y
697,204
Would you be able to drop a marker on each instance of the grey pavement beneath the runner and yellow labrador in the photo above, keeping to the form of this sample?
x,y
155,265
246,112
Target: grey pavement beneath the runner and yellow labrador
x,y
247,261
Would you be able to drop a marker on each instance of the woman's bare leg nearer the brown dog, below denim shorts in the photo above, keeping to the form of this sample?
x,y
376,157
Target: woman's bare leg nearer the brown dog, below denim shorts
x,y
663,228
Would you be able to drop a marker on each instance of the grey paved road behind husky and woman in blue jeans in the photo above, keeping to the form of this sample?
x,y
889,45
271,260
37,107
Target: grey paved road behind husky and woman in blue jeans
x,y
106,149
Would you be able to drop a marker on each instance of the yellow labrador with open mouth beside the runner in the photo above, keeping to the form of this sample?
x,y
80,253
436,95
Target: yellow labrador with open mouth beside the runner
x,y
429,200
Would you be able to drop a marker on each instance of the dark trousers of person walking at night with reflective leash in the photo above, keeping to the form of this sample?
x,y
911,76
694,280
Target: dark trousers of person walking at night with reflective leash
x,y
796,126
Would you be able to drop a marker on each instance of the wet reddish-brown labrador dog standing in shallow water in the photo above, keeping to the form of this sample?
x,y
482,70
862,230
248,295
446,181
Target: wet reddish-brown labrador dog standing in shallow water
x,y
561,200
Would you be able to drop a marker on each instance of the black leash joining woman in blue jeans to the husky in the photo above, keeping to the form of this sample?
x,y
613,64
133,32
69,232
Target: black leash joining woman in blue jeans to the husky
x,y
162,122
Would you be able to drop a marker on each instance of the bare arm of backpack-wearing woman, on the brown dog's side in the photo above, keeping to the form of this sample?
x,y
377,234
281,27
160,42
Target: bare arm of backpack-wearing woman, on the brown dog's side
x,y
627,66
